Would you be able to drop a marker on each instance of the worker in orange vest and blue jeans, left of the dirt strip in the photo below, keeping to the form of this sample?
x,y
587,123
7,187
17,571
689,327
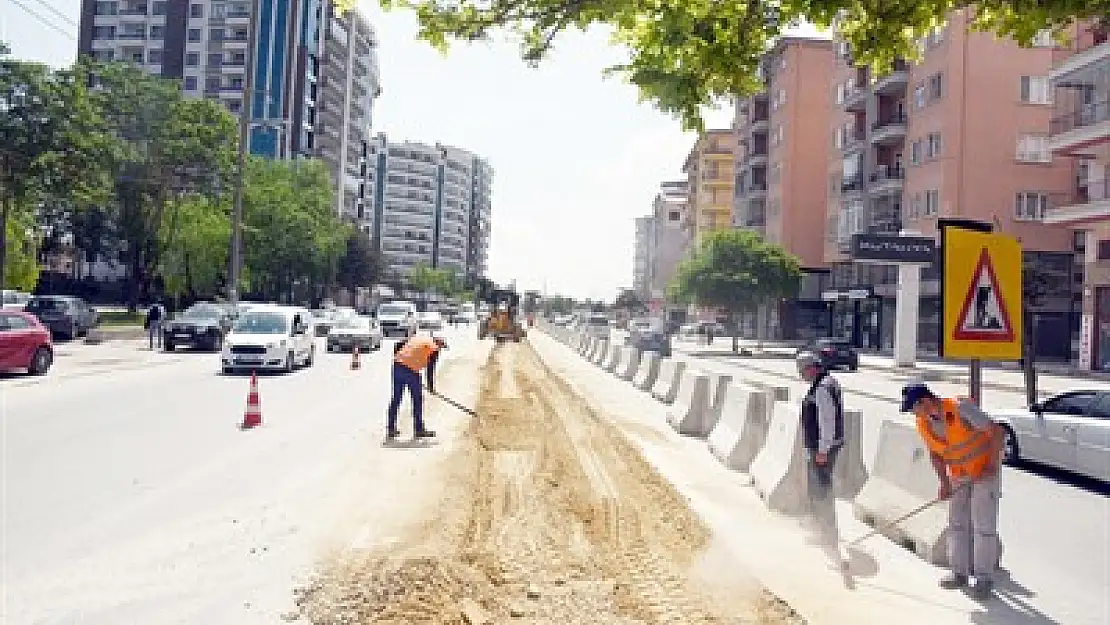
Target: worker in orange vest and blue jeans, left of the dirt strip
x,y
411,356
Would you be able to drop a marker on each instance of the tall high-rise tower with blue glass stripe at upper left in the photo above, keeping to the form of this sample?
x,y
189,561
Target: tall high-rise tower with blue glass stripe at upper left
x,y
316,74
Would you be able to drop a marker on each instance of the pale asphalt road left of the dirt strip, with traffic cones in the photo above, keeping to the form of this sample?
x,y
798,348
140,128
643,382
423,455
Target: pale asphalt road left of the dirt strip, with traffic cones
x,y
130,496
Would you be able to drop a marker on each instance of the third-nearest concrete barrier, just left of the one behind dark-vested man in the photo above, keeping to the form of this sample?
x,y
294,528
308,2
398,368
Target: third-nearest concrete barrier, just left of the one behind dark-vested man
x,y
742,431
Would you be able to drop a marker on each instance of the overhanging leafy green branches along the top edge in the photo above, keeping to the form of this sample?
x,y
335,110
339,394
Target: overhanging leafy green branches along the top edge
x,y
689,54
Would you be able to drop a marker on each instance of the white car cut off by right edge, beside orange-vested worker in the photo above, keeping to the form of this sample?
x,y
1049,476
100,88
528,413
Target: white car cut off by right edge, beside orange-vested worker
x,y
1069,431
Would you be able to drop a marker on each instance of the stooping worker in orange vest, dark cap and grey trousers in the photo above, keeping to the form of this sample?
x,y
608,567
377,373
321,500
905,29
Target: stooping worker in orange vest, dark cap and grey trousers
x,y
966,449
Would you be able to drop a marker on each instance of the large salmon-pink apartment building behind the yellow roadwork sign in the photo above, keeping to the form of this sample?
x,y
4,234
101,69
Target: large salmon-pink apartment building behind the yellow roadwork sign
x,y
961,135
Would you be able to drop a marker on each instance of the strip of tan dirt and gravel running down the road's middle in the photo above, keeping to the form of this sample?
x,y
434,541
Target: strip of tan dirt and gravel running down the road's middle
x,y
549,516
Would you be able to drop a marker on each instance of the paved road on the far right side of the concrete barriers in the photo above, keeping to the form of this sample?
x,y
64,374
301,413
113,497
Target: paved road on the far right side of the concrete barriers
x,y
1054,526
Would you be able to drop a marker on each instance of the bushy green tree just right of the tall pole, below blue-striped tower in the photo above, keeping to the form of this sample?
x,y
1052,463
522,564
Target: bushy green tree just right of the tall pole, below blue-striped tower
x,y
292,238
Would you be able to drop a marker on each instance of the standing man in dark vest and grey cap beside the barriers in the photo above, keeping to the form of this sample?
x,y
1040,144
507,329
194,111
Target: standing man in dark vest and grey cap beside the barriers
x,y
823,434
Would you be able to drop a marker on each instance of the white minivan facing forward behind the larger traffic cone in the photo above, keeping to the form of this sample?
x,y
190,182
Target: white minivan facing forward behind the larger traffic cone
x,y
270,338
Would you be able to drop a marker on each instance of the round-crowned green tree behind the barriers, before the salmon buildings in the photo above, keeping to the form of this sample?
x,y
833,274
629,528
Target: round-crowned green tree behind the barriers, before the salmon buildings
x,y
738,271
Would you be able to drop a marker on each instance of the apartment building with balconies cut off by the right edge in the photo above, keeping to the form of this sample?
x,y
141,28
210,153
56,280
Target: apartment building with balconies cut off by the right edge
x,y
1081,132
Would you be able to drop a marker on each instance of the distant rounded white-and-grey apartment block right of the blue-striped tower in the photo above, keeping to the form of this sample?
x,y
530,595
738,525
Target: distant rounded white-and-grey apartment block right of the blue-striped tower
x,y
431,207
